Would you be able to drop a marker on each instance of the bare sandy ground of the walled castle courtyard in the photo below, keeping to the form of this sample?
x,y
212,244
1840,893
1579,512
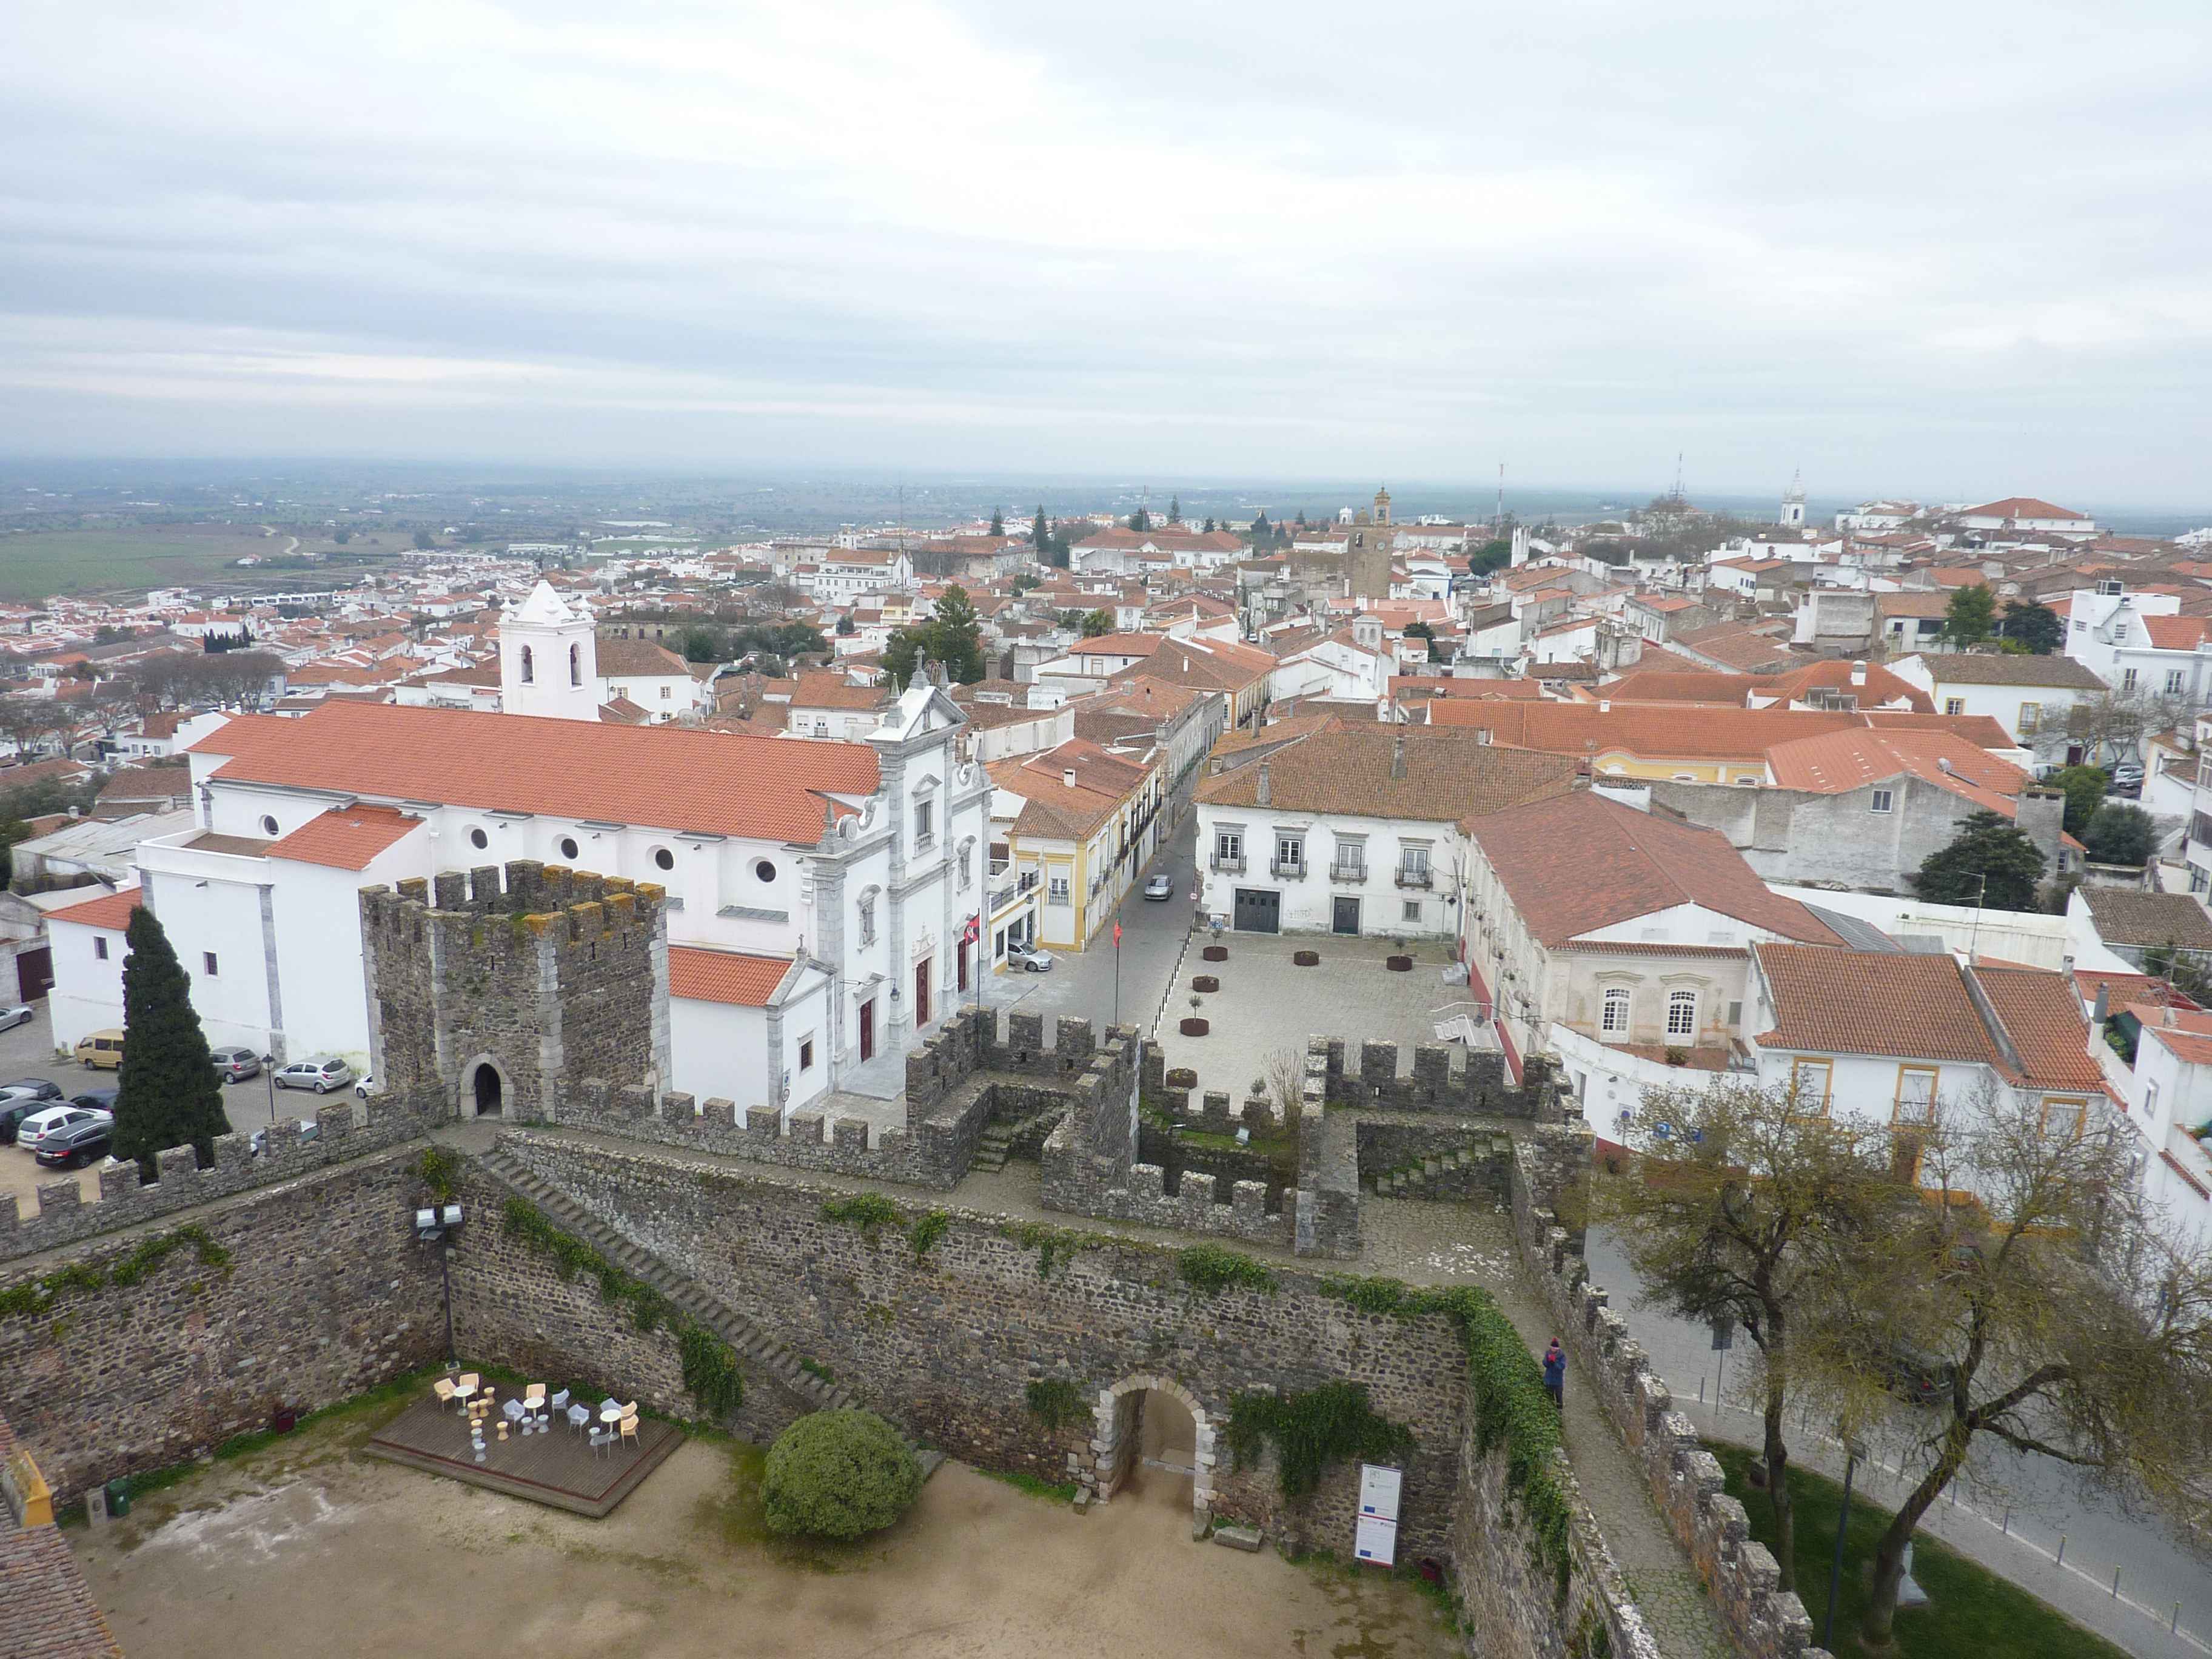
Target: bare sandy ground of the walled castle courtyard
x,y
311,1547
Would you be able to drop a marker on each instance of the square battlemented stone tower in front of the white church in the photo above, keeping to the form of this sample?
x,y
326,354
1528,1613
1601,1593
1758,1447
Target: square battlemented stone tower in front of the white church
x,y
552,974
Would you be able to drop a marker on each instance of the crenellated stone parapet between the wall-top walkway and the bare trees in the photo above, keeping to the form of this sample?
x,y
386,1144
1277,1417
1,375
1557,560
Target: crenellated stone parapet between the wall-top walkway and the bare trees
x,y
1762,1623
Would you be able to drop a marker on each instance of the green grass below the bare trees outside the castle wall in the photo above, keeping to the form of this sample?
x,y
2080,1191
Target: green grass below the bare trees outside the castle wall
x,y
1970,1609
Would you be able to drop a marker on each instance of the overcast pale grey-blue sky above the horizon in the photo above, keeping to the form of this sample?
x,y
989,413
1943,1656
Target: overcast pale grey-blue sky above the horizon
x,y
1954,251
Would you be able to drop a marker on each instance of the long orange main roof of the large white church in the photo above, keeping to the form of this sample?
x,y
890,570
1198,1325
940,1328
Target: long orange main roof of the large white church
x,y
649,775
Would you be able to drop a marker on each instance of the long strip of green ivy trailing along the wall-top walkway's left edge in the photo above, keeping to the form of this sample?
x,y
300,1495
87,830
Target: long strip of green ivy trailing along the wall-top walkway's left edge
x,y
1512,1406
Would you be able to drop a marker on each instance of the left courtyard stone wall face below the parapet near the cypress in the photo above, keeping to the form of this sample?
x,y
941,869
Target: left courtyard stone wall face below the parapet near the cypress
x,y
324,1295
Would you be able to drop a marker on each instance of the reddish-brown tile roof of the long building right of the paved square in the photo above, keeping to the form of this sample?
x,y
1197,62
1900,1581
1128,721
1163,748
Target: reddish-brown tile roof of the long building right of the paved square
x,y
1578,864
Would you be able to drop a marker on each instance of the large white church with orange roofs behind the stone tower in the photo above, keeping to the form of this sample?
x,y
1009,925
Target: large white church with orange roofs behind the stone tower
x,y
855,864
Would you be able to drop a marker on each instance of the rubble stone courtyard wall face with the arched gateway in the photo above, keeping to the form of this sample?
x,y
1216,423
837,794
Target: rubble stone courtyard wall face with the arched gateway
x,y
950,1344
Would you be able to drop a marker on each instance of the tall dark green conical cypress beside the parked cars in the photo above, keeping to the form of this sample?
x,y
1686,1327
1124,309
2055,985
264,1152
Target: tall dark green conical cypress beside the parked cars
x,y
167,1092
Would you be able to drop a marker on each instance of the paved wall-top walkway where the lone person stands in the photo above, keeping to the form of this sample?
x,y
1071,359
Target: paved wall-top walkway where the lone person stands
x,y
1463,1244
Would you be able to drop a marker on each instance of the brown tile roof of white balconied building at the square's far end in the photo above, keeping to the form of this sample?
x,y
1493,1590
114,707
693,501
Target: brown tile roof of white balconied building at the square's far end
x,y
1346,769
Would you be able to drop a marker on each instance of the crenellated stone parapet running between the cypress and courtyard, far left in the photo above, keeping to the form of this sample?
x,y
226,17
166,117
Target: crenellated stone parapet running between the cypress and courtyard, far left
x,y
348,1129
